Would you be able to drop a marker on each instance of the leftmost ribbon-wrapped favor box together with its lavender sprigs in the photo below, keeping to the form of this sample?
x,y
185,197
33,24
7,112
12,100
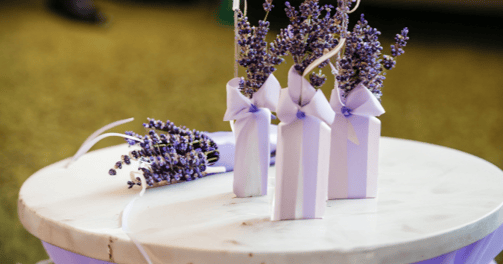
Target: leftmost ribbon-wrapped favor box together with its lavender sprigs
x,y
250,101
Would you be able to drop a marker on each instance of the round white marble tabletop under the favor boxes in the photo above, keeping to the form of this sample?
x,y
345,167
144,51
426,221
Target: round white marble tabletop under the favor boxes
x,y
431,201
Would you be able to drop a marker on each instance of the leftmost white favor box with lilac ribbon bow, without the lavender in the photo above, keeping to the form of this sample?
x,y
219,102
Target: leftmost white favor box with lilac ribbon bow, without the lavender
x,y
251,130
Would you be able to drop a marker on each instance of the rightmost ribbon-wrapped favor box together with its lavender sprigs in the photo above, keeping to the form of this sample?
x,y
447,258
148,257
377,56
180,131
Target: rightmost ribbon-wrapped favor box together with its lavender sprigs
x,y
360,71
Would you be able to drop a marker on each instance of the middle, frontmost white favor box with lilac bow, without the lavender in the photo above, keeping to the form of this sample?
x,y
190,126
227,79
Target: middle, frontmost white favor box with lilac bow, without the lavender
x,y
302,154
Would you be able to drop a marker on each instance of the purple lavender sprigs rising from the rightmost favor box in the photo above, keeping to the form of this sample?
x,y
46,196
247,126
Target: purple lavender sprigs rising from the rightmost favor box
x,y
363,61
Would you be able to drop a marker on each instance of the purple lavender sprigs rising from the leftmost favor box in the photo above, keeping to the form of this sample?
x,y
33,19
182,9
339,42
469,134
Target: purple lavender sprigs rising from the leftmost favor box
x,y
254,55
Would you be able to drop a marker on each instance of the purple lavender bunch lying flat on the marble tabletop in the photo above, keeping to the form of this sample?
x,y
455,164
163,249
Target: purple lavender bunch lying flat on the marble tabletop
x,y
178,155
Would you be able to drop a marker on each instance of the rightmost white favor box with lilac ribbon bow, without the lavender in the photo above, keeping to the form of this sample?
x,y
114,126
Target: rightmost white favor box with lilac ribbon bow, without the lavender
x,y
354,150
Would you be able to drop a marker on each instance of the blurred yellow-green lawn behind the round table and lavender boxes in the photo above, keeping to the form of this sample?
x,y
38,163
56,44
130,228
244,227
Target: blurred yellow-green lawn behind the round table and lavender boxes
x,y
61,80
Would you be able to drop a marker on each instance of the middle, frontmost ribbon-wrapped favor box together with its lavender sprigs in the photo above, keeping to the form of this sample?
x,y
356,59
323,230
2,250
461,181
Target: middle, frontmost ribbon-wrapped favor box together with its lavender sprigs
x,y
303,153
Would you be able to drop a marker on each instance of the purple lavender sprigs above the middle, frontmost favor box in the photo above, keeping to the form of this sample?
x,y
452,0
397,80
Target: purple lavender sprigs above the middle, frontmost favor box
x,y
312,32
